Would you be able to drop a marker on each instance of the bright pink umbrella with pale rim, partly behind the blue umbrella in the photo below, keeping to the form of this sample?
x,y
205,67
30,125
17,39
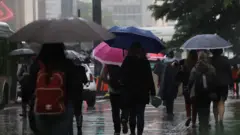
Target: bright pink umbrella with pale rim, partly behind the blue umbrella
x,y
108,55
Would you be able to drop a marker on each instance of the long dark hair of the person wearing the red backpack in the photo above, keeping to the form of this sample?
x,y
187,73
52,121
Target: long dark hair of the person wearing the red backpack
x,y
53,57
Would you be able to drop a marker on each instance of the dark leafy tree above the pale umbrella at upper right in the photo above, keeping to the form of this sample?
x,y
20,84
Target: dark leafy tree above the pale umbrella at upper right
x,y
201,17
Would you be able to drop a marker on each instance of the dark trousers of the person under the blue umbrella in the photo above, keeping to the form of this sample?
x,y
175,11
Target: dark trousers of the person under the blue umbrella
x,y
137,118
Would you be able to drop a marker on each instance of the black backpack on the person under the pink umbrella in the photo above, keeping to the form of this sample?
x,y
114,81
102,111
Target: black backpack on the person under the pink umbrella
x,y
114,76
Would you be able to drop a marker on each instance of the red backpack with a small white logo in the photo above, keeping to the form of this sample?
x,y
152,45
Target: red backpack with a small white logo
x,y
49,96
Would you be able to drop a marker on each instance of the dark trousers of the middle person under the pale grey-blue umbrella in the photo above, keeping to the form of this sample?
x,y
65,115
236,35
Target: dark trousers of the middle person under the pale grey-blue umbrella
x,y
203,111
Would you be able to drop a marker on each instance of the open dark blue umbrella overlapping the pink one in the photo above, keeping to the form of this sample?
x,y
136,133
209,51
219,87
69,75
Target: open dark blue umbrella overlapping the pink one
x,y
125,36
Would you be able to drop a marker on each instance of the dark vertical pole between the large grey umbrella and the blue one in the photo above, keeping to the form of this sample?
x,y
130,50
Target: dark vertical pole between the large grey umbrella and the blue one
x,y
97,18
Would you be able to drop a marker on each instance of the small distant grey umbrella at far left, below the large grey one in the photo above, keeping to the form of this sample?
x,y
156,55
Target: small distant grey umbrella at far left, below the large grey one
x,y
22,52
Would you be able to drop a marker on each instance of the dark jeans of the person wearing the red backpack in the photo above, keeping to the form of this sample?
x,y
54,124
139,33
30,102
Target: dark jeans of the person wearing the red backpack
x,y
55,124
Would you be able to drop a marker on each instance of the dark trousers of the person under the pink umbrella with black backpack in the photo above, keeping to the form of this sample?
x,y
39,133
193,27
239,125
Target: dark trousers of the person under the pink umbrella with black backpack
x,y
118,116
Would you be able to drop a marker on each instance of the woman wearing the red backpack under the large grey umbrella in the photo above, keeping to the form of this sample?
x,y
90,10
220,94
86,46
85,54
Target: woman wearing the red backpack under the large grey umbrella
x,y
52,59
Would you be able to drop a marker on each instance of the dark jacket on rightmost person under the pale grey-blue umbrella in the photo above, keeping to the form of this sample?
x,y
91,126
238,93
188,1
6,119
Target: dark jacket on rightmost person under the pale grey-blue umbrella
x,y
223,70
